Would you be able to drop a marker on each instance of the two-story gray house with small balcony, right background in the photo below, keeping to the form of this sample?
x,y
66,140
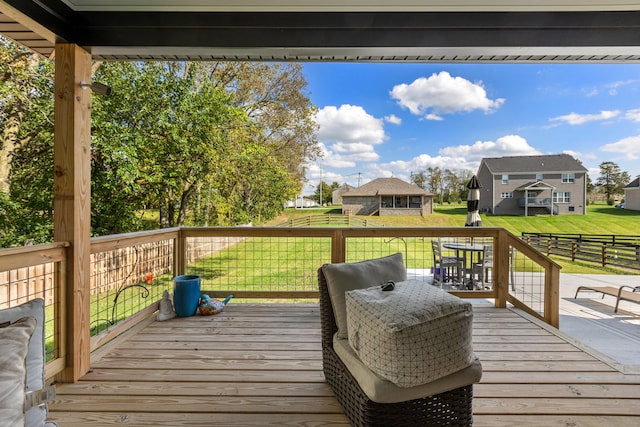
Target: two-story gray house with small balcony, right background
x,y
530,185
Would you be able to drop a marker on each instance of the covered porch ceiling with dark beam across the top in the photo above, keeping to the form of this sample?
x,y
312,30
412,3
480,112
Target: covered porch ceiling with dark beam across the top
x,y
477,31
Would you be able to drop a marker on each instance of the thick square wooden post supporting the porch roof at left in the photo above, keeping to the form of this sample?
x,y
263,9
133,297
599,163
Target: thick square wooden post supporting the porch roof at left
x,y
72,201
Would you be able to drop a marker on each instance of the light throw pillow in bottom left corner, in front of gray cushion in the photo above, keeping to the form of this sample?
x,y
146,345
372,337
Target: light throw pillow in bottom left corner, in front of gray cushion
x,y
14,342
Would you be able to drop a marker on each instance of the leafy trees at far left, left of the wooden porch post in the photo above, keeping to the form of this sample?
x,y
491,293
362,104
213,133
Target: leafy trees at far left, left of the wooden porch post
x,y
26,154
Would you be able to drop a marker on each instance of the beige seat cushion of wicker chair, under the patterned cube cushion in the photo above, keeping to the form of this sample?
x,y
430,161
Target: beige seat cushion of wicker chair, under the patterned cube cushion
x,y
381,390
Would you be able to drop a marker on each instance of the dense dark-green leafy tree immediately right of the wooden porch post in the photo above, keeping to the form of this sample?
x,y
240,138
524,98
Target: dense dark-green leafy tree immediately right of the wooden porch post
x,y
157,139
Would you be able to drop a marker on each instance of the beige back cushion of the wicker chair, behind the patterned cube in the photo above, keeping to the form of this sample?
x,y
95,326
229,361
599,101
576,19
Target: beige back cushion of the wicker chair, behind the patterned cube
x,y
342,277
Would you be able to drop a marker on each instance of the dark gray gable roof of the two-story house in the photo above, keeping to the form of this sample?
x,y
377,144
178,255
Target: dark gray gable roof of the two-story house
x,y
528,164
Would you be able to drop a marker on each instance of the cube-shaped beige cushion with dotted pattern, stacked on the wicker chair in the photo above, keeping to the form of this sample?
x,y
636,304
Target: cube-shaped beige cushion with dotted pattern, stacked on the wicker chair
x,y
412,335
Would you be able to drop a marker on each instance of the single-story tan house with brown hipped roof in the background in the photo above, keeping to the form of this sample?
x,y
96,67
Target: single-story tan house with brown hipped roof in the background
x,y
387,197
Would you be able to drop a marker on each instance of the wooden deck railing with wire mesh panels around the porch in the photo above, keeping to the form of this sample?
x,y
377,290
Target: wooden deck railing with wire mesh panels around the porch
x,y
130,272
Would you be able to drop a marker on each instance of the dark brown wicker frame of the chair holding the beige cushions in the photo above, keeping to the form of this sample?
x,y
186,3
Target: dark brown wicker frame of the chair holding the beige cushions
x,y
444,408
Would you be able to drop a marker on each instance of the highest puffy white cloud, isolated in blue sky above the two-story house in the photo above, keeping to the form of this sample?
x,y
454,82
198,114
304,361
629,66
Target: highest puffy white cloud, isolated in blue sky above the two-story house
x,y
443,94
